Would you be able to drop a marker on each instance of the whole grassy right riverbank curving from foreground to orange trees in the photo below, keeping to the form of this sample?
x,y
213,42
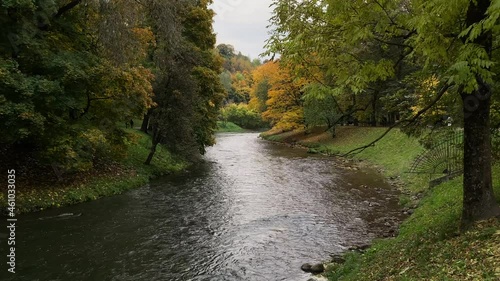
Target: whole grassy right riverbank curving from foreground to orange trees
x,y
429,244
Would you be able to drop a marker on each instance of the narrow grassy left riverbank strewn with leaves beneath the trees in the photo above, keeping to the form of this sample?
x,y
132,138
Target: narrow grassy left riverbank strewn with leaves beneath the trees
x,y
118,177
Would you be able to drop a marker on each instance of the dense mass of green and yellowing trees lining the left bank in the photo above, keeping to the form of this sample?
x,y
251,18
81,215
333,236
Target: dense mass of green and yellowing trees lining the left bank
x,y
72,73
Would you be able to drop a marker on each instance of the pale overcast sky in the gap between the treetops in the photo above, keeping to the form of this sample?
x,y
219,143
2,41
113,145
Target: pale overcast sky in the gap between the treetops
x,y
242,23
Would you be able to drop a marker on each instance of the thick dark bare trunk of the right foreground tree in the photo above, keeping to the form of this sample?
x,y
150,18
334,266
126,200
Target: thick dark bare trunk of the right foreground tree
x,y
478,199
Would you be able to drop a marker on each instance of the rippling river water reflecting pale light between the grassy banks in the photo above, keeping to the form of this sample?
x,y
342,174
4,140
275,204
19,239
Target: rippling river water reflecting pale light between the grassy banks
x,y
252,211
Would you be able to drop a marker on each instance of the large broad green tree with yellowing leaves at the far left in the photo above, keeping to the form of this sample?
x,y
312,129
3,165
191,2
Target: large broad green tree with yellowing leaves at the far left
x,y
63,92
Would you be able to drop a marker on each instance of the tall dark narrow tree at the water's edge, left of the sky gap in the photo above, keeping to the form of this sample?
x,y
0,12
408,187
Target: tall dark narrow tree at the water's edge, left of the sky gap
x,y
187,90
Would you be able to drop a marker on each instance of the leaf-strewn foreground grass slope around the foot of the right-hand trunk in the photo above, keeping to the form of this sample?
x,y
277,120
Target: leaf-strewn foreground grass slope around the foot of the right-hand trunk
x,y
430,246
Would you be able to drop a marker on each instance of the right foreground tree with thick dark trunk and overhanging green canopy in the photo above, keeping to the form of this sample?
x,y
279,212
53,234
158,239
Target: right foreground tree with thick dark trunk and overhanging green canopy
x,y
370,46
